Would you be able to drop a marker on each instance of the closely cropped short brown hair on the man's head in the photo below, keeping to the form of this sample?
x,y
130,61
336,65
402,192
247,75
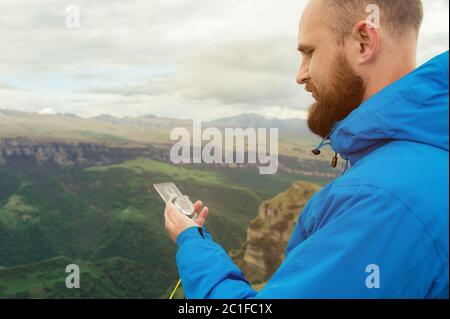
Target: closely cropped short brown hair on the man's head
x,y
397,16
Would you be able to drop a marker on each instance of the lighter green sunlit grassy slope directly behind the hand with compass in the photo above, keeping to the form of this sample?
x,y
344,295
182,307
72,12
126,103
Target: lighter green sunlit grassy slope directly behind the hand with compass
x,y
214,189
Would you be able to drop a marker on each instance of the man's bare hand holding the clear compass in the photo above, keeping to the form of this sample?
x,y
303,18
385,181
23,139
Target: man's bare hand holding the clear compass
x,y
176,222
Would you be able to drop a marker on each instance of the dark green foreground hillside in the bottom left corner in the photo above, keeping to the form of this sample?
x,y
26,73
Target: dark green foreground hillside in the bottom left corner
x,y
102,279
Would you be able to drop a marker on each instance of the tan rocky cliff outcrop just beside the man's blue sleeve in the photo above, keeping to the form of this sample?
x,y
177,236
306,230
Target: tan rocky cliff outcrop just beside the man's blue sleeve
x,y
269,233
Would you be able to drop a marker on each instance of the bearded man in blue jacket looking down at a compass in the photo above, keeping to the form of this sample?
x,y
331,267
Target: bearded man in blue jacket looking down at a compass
x,y
381,229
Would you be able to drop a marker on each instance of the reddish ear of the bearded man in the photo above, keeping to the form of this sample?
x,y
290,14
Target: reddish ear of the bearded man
x,y
366,37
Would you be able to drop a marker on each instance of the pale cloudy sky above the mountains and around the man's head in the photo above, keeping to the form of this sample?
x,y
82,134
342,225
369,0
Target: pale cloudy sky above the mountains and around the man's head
x,y
197,59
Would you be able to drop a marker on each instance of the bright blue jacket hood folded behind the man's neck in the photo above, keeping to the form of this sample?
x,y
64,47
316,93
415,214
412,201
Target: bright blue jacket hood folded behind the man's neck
x,y
415,108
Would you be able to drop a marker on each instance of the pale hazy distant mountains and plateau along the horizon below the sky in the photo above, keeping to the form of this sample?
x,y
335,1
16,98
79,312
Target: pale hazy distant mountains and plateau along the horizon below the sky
x,y
295,139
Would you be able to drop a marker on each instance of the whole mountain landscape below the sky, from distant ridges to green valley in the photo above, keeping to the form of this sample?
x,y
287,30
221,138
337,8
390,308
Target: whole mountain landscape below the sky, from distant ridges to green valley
x,y
75,190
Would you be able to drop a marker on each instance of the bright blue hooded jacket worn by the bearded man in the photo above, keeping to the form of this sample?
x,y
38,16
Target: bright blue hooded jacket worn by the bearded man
x,y
378,231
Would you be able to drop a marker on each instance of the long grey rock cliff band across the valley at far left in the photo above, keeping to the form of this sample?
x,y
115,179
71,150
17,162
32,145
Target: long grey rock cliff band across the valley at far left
x,y
70,154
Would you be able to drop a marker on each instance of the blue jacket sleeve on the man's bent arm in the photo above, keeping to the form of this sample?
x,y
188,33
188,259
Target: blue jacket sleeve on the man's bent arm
x,y
360,242
